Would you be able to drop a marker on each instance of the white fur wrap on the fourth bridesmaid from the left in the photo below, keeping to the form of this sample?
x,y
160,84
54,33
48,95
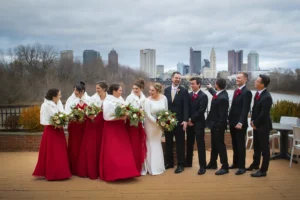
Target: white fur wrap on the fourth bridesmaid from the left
x,y
109,106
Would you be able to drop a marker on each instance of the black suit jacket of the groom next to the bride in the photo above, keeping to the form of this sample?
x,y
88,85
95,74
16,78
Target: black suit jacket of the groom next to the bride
x,y
180,105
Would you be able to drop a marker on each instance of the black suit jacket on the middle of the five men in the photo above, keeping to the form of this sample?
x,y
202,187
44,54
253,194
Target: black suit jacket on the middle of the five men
x,y
218,113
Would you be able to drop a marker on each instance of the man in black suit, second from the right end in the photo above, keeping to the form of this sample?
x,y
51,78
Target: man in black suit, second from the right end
x,y
238,121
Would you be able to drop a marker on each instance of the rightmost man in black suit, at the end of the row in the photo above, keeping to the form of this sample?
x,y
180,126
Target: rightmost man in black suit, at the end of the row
x,y
262,125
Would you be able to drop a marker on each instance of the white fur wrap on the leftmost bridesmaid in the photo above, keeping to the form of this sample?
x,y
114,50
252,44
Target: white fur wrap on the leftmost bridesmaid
x,y
48,109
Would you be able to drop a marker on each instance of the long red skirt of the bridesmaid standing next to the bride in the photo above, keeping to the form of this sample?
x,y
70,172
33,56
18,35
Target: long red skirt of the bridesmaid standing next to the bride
x,y
137,137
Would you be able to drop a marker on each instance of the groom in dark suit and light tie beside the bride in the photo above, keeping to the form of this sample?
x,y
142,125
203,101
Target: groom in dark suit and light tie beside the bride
x,y
178,103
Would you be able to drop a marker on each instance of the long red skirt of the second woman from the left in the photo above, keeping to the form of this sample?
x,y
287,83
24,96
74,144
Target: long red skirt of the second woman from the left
x,y
76,131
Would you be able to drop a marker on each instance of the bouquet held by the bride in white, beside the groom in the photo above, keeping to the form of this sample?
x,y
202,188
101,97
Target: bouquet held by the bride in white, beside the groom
x,y
166,120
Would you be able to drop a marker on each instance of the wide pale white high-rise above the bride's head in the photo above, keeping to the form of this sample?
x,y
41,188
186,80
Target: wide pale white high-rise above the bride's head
x,y
148,62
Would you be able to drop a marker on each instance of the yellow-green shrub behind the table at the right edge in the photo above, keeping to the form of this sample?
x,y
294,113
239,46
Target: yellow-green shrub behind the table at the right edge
x,y
284,108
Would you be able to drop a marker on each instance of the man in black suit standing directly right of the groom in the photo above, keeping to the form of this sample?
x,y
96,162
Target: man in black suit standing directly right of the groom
x,y
198,104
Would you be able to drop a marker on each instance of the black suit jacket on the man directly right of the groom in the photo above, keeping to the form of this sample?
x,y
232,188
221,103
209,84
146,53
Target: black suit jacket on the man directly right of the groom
x,y
198,108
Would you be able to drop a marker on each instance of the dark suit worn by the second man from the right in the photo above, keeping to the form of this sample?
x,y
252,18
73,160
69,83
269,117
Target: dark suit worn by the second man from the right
x,y
239,110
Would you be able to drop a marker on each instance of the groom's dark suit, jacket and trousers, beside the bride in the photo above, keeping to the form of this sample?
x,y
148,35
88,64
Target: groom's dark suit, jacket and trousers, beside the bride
x,y
181,108
